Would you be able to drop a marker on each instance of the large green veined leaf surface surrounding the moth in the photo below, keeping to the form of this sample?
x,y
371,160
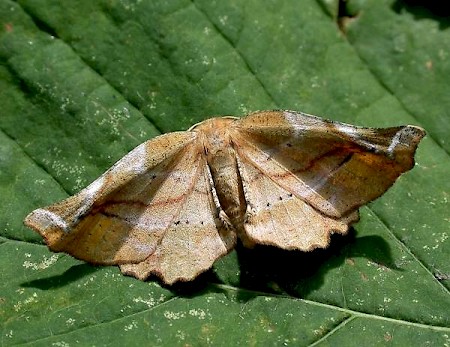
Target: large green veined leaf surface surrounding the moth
x,y
84,82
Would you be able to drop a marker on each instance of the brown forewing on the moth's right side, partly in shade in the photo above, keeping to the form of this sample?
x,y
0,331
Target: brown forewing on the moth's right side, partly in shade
x,y
332,166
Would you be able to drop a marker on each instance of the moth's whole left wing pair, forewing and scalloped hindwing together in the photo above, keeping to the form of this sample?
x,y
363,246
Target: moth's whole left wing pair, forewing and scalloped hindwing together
x,y
128,213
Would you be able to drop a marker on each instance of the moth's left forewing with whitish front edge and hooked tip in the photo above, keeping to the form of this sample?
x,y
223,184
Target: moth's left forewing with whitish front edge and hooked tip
x,y
87,225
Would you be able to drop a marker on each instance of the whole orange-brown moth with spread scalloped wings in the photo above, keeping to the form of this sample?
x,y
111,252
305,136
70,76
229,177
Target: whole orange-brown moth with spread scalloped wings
x,y
178,202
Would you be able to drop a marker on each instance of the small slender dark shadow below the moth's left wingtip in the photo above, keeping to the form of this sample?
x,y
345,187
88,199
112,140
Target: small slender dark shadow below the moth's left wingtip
x,y
72,274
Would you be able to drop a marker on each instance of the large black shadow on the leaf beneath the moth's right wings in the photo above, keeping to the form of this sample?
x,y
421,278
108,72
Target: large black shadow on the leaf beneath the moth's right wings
x,y
272,270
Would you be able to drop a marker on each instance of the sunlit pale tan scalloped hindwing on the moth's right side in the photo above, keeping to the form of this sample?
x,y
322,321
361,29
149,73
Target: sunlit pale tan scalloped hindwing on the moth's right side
x,y
277,217
